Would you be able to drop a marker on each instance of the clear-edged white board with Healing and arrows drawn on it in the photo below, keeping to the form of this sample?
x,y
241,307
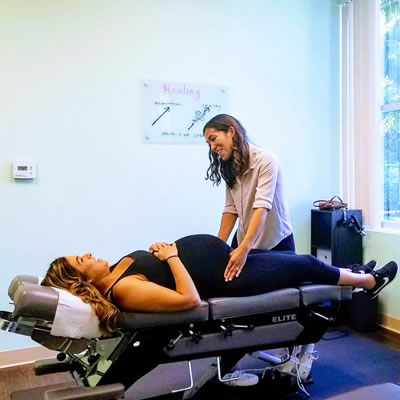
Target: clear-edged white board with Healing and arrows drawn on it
x,y
176,112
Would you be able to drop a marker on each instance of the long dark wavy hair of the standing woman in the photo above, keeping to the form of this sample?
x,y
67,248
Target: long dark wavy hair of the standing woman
x,y
235,166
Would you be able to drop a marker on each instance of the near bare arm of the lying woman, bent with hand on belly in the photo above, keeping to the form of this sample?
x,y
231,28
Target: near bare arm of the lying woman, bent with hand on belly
x,y
135,294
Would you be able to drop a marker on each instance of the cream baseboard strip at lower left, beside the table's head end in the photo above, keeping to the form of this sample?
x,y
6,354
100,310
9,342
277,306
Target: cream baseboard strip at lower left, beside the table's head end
x,y
27,355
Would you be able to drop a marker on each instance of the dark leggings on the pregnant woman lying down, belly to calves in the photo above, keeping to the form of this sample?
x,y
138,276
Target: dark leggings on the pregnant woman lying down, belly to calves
x,y
206,257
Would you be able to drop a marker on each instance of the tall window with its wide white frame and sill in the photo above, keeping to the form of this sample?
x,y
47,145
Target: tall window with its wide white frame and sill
x,y
371,110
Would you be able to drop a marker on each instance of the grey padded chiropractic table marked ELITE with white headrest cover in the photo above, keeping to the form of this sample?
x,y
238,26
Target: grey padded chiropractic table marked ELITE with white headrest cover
x,y
225,328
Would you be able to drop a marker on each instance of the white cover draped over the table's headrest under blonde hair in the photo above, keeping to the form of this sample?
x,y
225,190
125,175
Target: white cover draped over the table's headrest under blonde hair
x,y
74,318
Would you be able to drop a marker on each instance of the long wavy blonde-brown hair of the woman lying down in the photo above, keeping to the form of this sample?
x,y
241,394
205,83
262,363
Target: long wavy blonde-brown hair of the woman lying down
x,y
63,276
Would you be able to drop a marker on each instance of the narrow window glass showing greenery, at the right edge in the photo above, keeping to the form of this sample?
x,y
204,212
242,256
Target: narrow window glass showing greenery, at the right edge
x,y
390,28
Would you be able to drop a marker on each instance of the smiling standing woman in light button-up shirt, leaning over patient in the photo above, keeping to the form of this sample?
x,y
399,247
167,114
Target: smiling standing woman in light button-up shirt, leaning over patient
x,y
254,192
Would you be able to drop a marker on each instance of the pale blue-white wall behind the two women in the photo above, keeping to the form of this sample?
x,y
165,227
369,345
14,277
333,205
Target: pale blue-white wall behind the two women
x,y
69,100
